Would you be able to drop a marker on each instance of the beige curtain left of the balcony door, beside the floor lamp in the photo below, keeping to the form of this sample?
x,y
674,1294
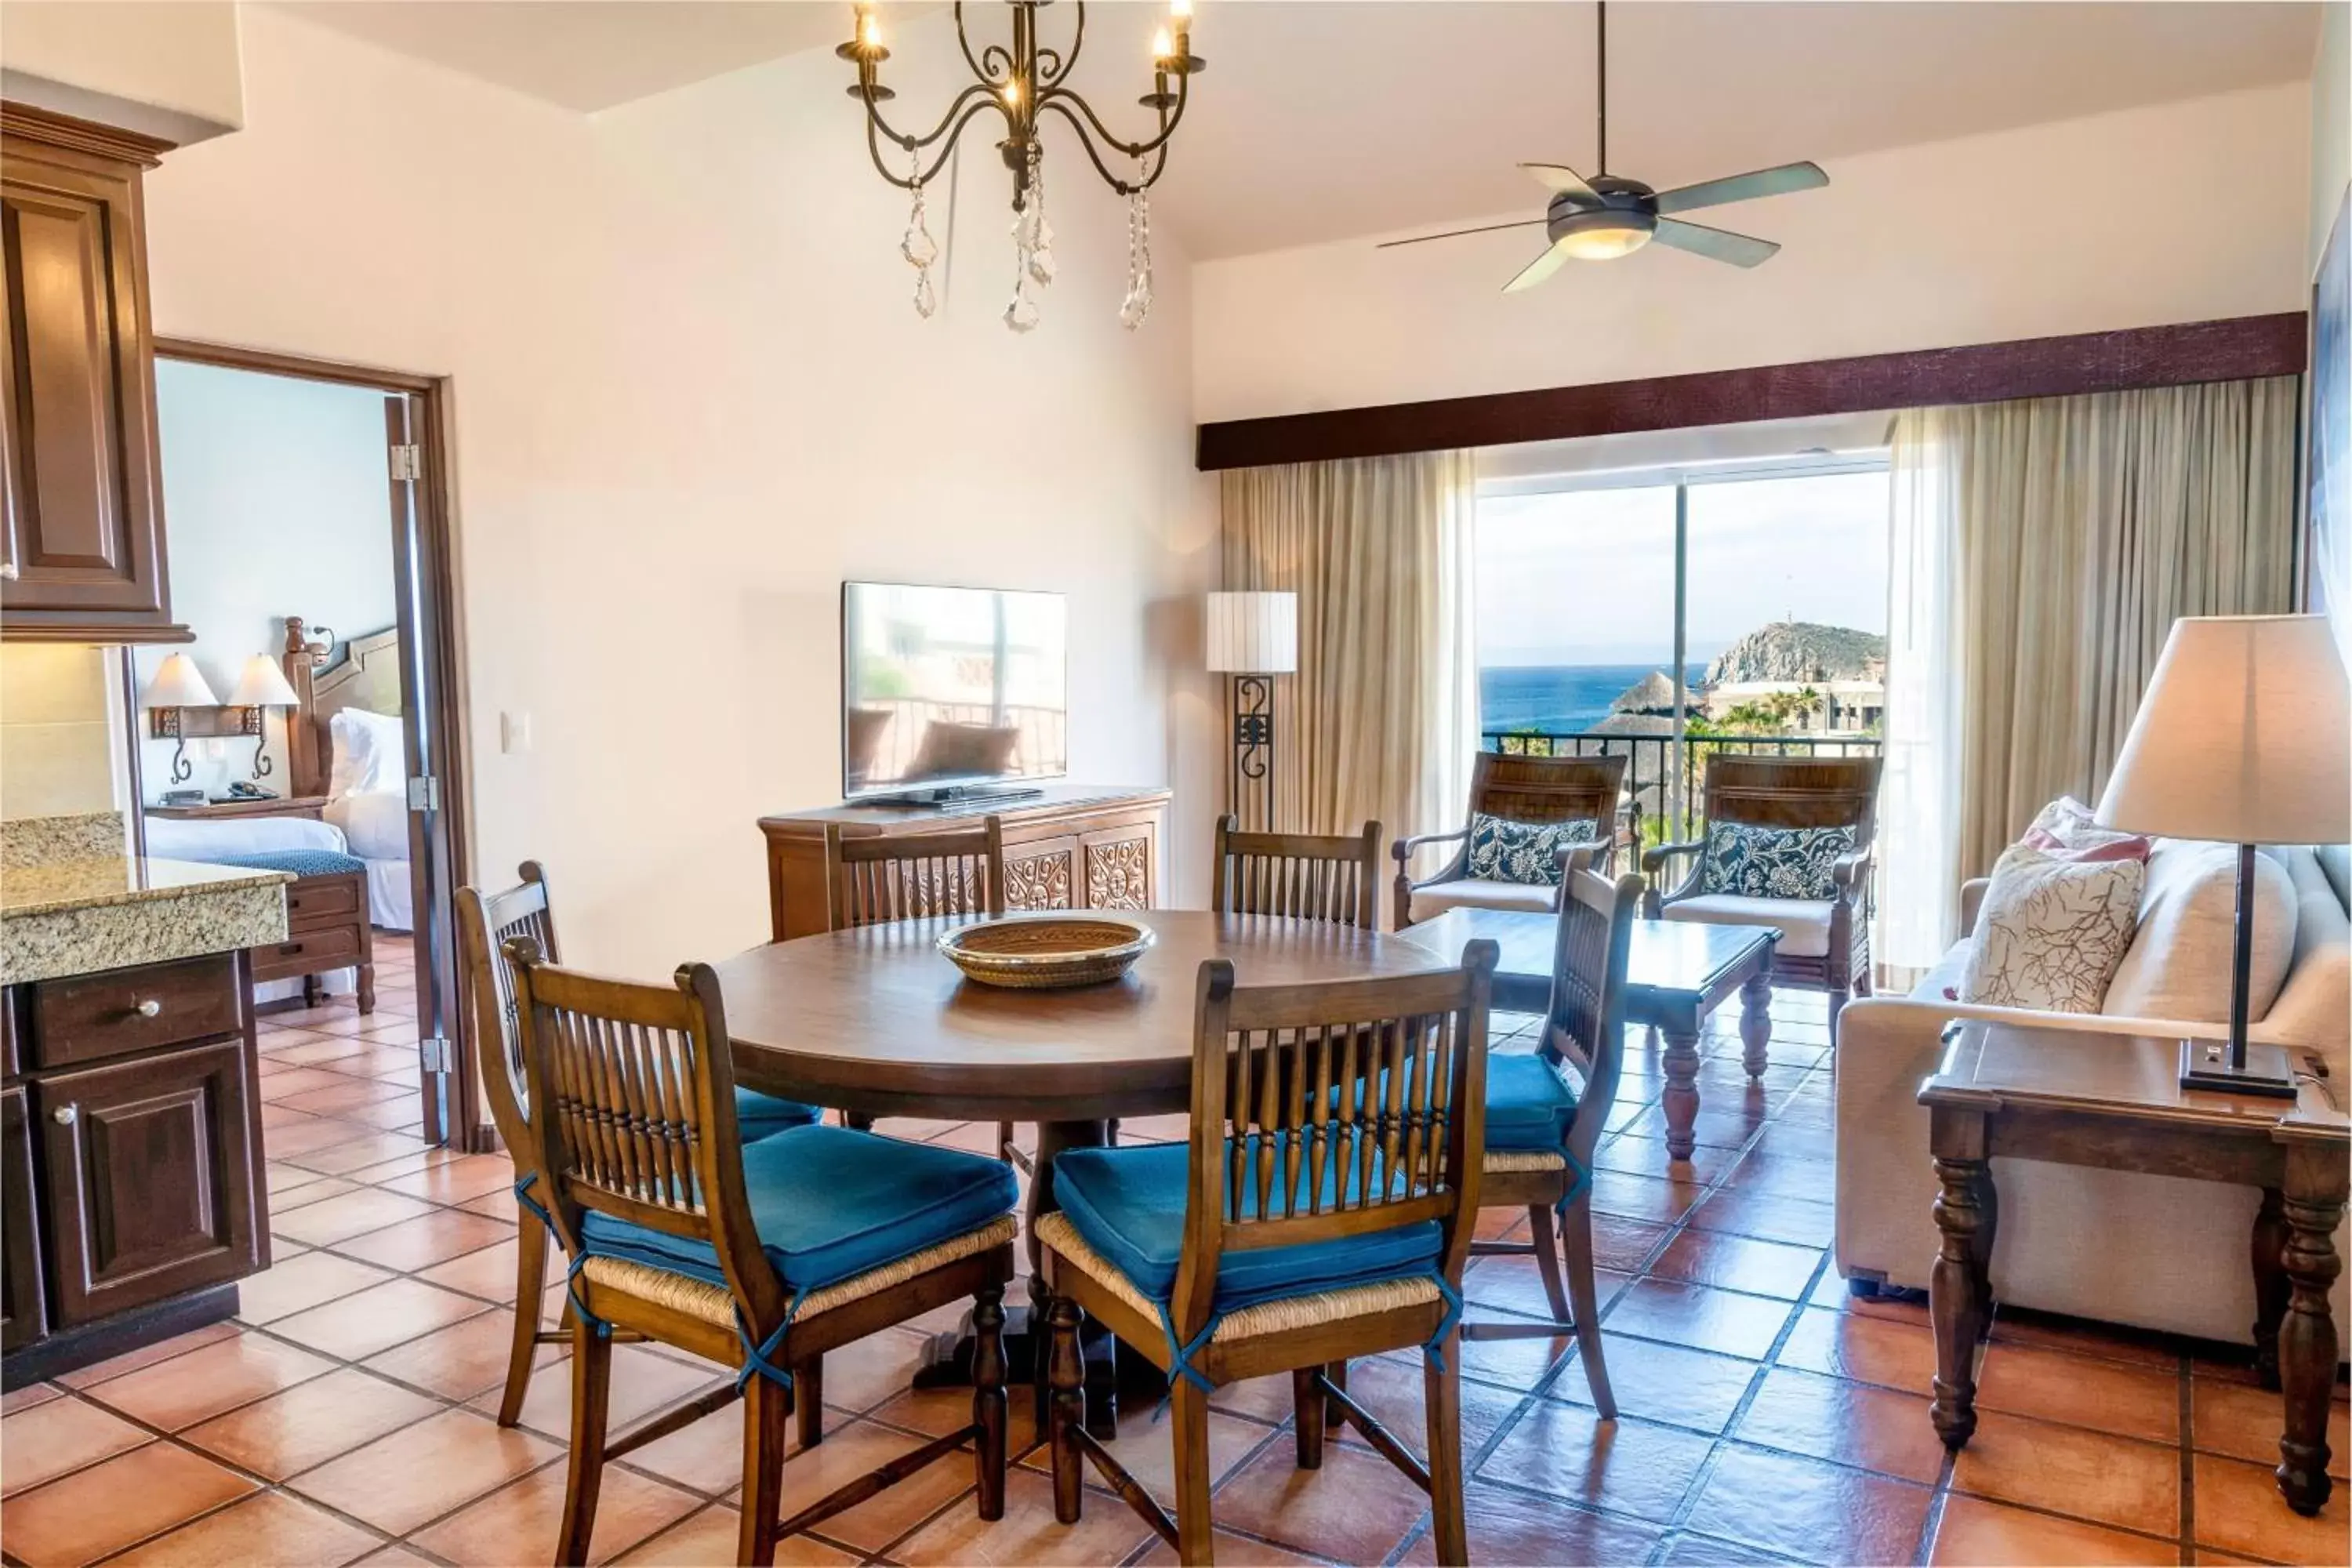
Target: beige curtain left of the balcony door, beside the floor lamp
x,y
1382,716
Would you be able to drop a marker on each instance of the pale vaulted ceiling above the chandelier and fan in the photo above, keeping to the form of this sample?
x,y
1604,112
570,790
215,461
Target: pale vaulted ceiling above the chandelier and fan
x,y
1332,119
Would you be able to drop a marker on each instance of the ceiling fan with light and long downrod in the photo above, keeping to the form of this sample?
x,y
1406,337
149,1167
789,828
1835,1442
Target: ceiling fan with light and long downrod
x,y
1603,217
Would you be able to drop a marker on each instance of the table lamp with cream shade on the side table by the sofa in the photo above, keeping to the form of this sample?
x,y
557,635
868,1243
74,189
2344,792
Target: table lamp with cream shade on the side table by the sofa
x,y
2243,737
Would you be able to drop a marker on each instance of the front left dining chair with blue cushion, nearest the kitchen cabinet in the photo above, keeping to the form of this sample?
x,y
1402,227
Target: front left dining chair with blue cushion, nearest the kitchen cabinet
x,y
756,1257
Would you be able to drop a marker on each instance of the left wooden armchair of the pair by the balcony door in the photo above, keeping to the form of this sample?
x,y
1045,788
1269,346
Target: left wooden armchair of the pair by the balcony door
x,y
1521,791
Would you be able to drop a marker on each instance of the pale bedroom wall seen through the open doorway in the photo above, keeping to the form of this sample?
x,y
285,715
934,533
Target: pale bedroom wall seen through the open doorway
x,y
279,504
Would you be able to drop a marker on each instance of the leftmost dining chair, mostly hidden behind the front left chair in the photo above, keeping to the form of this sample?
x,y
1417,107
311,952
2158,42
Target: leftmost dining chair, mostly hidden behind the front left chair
x,y
486,923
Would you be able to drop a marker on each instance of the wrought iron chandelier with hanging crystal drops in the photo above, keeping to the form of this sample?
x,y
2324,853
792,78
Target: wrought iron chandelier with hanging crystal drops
x,y
1024,81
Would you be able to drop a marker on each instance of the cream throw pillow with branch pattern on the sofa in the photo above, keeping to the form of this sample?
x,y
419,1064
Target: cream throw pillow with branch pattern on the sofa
x,y
2052,932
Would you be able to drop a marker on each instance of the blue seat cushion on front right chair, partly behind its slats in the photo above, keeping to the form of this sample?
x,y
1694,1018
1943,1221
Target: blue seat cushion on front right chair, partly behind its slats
x,y
1130,1209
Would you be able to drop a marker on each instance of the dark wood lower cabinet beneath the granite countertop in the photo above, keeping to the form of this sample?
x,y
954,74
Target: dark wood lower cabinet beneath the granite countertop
x,y
133,1139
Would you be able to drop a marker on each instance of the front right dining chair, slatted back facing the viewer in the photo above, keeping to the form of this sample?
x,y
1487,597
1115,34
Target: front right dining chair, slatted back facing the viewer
x,y
1321,1212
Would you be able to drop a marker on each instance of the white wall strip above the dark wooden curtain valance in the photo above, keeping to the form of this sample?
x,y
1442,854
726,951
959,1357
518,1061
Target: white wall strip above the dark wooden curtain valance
x,y
2146,217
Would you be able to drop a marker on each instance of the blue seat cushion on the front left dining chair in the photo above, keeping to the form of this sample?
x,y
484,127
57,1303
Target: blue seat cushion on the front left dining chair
x,y
829,1205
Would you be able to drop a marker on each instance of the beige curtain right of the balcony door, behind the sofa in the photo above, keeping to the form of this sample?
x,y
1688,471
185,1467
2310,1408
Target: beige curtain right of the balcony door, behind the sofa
x,y
2078,532
